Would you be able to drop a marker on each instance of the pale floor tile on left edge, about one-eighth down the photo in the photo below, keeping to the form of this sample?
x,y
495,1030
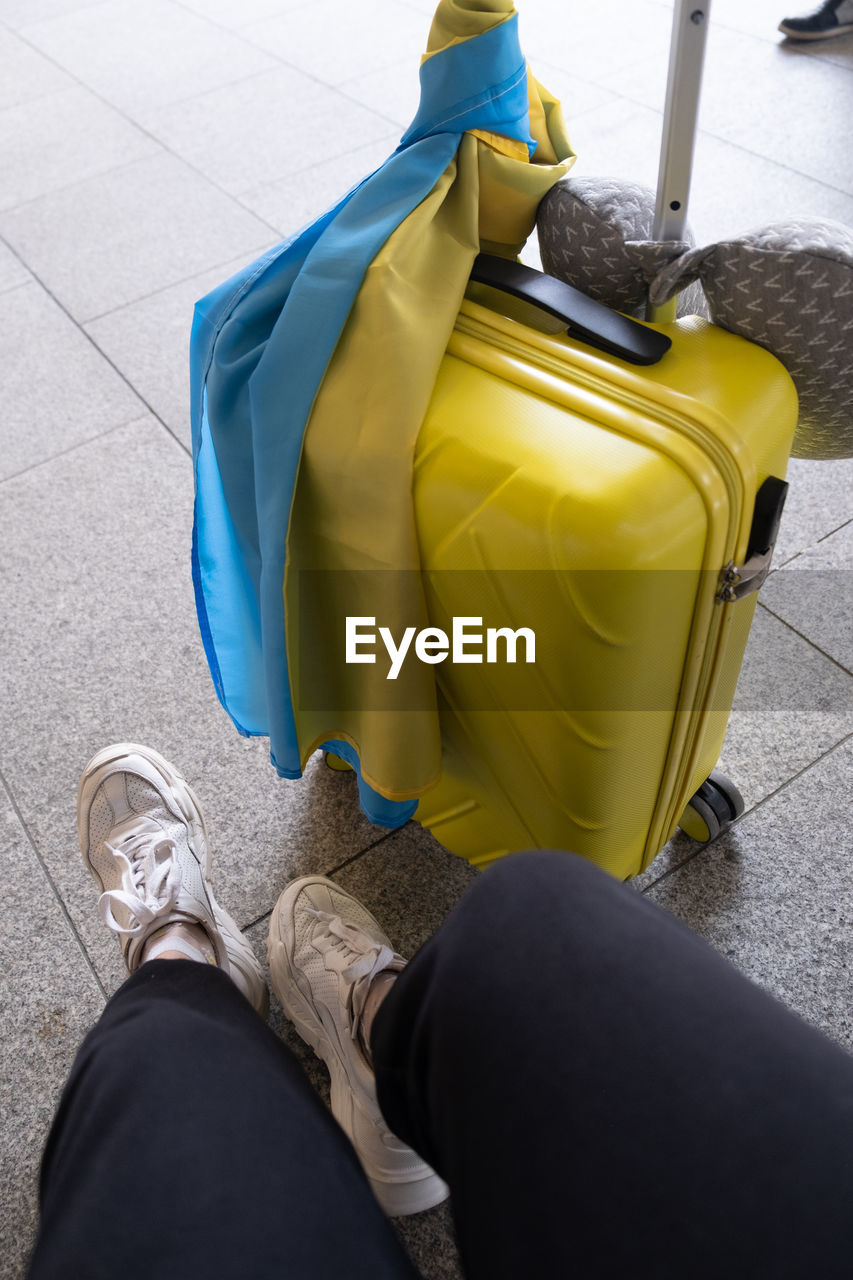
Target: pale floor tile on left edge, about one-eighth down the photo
x,y
72,135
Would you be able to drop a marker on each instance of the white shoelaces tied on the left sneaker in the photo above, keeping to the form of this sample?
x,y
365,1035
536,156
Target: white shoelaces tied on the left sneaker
x,y
150,883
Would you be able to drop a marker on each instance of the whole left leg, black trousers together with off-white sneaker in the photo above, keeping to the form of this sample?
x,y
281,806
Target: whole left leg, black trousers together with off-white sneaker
x,y
188,1142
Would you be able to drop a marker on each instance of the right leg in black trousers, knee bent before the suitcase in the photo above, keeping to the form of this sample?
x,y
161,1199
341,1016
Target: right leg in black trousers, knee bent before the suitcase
x,y
606,1096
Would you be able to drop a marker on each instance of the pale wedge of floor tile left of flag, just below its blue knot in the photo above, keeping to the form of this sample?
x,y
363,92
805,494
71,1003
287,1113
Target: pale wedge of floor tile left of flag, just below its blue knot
x,y
302,198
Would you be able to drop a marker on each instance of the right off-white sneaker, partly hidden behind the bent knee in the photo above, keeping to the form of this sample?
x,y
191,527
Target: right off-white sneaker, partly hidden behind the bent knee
x,y
325,950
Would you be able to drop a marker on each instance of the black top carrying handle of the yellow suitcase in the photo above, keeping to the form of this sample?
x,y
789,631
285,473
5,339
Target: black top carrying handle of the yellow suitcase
x,y
589,321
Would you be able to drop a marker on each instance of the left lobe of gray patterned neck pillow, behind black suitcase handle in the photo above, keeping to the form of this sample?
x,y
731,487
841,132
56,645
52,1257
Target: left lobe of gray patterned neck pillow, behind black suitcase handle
x,y
595,234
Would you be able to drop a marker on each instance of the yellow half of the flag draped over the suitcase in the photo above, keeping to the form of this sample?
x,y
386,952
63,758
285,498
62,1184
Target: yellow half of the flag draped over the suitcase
x,y
352,545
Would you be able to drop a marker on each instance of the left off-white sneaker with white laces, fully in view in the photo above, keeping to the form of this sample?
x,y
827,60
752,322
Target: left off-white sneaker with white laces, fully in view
x,y
144,840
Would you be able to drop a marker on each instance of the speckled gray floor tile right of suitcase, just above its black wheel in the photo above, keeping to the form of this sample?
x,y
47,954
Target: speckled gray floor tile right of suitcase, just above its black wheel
x,y
791,708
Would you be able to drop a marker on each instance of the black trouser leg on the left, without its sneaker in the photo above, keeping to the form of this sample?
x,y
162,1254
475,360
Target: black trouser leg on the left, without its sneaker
x,y
189,1145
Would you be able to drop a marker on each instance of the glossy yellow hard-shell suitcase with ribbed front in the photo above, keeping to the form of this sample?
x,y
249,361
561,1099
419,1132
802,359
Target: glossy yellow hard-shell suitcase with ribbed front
x,y
626,516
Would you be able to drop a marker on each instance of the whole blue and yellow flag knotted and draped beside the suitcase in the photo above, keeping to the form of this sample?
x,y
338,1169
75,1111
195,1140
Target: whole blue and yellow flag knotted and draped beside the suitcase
x,y
312,372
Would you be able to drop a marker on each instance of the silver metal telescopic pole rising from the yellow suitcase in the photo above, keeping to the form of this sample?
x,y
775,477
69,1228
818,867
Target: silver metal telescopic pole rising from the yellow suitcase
x,y
683,85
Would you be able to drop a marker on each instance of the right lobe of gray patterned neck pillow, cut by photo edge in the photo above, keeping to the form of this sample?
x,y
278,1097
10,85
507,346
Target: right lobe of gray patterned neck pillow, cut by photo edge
x,y
788,287
